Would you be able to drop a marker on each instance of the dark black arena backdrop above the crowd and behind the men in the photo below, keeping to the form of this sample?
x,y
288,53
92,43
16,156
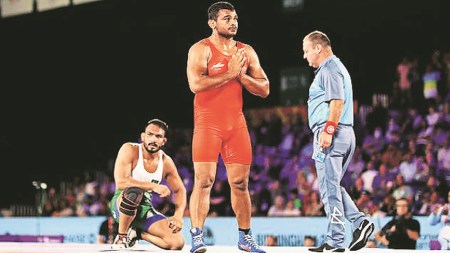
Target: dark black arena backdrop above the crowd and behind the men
x,y
79,80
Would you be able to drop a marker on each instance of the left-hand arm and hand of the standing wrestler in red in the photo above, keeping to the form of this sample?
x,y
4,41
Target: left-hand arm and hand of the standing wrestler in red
x,y
197,69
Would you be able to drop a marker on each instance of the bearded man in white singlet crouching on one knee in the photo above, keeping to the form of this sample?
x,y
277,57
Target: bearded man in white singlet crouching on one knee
x,y
138,172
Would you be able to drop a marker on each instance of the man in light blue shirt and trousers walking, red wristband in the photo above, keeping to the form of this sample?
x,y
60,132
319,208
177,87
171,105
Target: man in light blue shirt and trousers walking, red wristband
x,y
330,115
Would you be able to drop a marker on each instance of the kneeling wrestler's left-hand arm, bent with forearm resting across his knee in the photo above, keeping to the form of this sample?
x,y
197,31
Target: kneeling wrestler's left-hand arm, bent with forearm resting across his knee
x,y
123,168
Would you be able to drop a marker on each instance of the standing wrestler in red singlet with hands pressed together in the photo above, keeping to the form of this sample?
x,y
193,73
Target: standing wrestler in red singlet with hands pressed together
x,y
218,67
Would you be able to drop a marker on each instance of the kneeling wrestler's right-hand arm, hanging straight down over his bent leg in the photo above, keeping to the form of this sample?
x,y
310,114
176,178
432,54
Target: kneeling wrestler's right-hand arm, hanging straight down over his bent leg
x,y
176,185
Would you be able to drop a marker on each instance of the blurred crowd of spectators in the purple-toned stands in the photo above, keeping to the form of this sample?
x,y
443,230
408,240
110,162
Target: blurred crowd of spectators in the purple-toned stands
x,y
403,150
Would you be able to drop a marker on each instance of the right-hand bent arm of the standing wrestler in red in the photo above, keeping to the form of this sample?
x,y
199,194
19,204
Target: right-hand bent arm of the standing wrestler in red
x,y
254,79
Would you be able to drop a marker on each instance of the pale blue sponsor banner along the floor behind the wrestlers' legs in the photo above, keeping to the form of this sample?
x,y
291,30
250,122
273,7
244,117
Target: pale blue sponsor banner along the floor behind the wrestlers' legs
x,y
221,231
